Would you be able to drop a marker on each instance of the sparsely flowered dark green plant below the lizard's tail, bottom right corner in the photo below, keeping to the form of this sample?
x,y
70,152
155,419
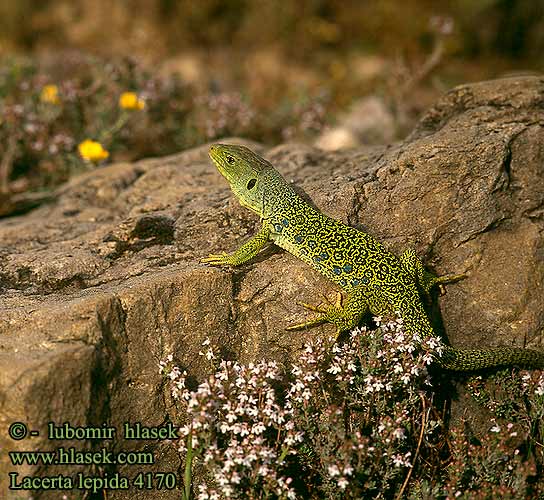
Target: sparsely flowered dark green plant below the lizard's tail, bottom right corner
x,y
504,461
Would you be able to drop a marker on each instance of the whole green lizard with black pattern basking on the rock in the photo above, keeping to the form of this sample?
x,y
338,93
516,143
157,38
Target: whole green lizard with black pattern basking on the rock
x,y
372,278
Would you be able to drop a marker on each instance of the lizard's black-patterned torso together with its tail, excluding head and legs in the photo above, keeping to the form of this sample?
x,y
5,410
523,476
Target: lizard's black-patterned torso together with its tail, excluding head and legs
x,y
373,278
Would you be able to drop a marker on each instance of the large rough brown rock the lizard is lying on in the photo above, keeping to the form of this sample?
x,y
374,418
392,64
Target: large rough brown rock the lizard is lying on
x,y
99,286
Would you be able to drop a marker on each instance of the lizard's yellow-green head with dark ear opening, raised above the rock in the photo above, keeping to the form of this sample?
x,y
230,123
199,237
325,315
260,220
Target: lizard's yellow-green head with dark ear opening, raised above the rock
x,y
251,177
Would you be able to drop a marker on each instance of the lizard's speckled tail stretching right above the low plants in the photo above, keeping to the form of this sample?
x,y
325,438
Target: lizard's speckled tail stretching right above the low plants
x,y
477,359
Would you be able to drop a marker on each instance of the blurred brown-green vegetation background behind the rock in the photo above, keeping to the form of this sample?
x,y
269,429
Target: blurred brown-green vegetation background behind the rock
x,y
263,69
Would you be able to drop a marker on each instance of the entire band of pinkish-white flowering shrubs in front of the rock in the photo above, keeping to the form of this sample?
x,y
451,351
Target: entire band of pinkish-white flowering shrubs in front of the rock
x,y
355,419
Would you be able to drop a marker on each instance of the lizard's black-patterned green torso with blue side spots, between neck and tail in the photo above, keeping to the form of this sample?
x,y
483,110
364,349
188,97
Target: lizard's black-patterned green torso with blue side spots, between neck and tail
x,y
348,257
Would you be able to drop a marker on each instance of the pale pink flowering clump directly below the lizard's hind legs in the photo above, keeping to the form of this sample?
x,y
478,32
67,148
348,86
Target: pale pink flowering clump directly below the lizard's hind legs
x,y
357,401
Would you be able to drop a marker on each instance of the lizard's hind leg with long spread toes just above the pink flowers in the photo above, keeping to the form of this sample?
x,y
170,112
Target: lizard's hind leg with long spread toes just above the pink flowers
x,y
345,316
